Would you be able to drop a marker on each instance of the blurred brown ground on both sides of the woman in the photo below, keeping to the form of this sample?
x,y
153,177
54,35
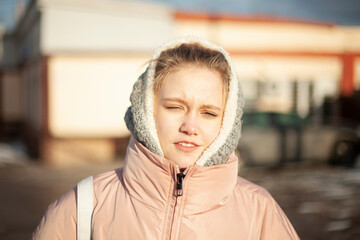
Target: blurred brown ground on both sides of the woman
x,y
322,202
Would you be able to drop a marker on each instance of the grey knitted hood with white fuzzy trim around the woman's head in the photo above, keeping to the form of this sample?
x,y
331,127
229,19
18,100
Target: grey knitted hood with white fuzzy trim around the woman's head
x,y
140,121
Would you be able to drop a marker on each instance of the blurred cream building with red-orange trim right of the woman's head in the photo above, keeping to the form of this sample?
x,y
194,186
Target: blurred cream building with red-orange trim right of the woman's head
x,y
282,61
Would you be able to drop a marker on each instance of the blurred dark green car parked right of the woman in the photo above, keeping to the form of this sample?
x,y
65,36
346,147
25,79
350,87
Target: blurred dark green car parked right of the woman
x,y
271,139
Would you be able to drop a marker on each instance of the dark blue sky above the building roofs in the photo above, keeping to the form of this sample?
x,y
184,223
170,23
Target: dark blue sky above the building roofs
x,y
343,12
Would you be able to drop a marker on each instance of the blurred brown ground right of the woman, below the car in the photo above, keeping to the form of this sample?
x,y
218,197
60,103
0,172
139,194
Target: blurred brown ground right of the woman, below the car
x,y
322,202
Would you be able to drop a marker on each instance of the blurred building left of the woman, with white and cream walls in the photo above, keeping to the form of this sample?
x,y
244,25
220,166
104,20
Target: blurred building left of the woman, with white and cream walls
x,y
68,70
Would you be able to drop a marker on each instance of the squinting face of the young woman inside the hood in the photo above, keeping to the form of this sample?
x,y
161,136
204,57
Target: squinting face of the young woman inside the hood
x,y
188,113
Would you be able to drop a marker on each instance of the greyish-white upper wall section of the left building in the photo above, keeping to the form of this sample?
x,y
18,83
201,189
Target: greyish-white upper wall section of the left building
x,y
106,27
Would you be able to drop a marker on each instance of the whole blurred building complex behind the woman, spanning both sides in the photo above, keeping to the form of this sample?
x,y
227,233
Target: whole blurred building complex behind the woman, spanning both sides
x,y
68,68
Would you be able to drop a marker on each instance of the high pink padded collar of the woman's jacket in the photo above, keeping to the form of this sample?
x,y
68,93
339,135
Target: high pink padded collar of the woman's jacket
x,y
151,179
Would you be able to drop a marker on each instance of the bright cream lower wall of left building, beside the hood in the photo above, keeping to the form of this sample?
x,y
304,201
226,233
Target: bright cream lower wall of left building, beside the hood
x,y
88,96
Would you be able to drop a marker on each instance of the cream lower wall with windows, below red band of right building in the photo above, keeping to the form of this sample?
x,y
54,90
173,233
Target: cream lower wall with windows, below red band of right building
x,y
278,73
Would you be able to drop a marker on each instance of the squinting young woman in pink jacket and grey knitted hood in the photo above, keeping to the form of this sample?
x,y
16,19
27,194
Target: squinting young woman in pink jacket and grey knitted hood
x,y
180,178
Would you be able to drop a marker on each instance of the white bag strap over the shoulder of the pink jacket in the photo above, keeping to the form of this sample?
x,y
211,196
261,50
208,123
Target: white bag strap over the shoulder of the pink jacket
x,y
85,207
